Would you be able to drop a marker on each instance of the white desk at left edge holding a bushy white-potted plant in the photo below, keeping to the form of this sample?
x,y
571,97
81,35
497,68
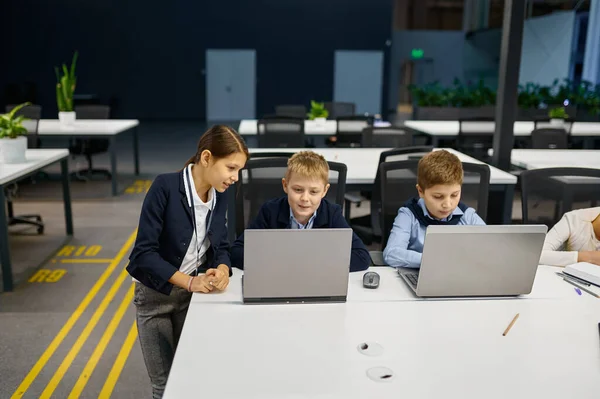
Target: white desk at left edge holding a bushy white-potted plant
x,y
10,173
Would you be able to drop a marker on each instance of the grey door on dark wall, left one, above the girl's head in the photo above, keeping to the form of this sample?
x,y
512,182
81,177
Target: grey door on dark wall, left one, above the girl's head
x,y
230,85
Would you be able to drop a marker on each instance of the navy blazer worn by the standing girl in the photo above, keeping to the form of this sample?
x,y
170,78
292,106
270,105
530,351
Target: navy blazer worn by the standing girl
x,y
165,232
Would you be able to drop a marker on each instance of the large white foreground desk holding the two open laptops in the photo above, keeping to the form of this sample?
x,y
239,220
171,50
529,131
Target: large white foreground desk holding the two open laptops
x,y
434,349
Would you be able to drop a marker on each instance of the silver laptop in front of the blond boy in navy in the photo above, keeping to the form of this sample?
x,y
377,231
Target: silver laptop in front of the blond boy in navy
x,y
292,266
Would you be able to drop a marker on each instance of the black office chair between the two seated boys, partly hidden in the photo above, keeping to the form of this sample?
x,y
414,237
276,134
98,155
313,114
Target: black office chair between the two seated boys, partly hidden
x,y
368,227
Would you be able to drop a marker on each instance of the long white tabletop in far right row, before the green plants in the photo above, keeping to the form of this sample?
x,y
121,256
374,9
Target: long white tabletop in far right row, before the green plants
x,y
521,128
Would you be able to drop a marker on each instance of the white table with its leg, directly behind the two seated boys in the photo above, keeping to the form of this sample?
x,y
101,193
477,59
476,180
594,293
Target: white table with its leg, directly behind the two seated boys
x,y
362,166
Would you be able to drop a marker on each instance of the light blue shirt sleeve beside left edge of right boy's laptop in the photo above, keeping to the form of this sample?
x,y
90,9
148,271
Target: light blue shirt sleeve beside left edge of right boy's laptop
x,y
396,252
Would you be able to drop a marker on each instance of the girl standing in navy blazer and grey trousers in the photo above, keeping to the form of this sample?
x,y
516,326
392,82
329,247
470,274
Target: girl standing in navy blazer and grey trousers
x,y
181,245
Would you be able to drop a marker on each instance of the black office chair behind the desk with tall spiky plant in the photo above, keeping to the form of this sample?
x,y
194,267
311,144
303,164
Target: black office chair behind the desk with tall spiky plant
x,y
90,147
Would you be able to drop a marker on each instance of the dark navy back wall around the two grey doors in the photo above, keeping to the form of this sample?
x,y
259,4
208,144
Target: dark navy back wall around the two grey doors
x,y
149,55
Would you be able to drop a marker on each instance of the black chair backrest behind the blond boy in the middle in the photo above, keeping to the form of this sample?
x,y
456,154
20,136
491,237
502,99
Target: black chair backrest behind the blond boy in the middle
x,y
260,181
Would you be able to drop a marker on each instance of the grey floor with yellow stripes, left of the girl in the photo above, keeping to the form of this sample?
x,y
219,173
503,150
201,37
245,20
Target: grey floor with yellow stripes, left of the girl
x,y
36,314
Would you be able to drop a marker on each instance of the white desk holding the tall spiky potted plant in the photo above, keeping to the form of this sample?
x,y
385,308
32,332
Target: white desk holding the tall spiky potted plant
x,y
97,128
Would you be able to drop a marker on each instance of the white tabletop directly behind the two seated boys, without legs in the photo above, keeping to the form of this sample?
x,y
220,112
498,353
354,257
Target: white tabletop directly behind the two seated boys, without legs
x,y
362,163
